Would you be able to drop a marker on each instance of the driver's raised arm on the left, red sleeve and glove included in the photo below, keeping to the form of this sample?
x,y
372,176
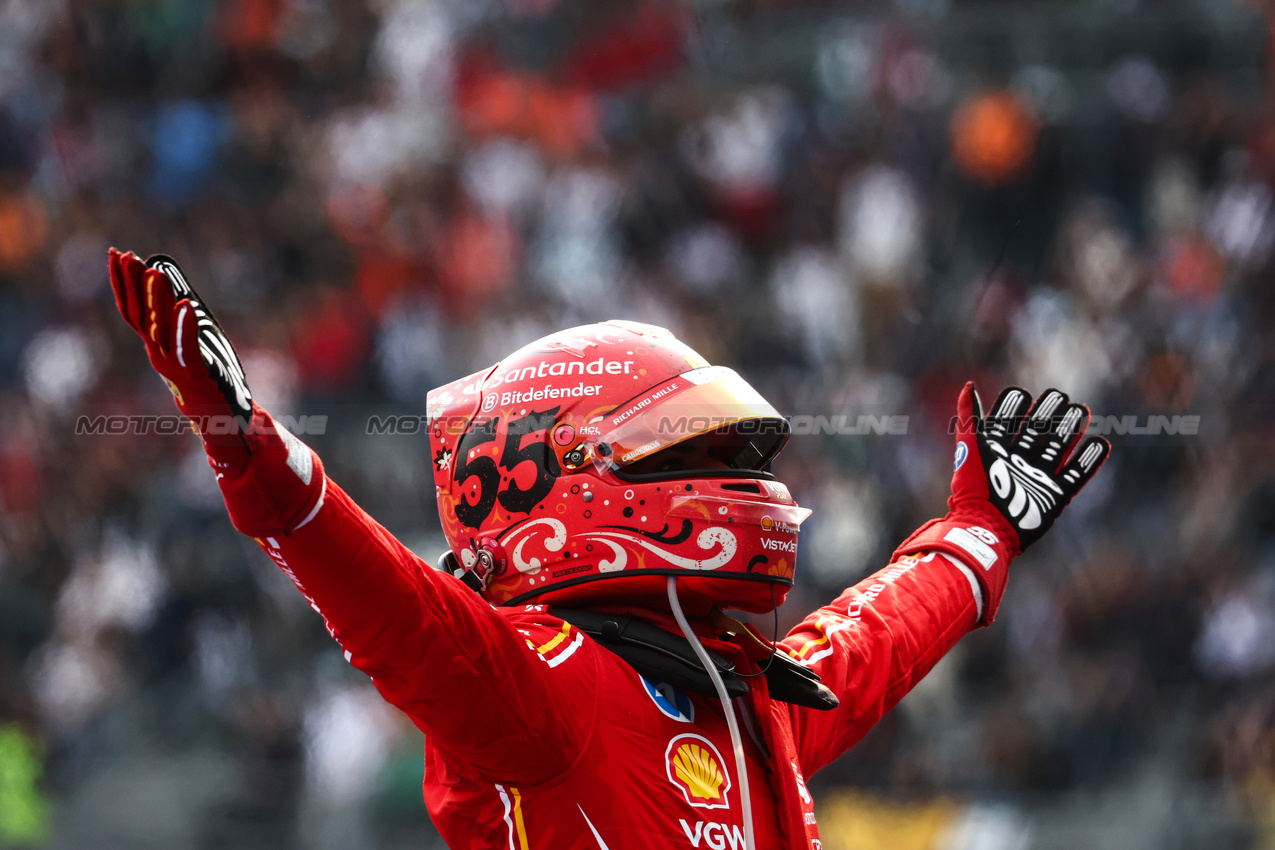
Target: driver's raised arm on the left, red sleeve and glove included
x,y
432,645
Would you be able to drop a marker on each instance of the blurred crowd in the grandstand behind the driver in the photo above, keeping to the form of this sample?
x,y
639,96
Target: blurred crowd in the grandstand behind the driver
x,y
856,205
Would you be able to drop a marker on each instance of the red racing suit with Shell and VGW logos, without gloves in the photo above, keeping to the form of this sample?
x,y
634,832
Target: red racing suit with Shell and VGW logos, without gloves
x,y
539,738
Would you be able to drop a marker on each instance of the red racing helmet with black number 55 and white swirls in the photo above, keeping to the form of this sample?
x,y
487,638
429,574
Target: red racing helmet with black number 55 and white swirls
x,y
594,463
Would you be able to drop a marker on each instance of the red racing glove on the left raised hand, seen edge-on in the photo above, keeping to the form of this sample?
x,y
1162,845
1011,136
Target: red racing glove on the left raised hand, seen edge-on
x,y
271,481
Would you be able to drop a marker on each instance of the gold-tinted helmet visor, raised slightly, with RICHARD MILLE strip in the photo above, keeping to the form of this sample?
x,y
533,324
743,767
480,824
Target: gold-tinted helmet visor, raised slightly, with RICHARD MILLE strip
x,y
707,419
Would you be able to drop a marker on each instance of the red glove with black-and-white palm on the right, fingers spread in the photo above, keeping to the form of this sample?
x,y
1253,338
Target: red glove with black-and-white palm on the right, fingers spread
x,y
1014,476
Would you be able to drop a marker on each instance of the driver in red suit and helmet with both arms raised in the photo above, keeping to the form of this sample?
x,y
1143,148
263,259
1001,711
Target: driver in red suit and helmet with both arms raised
x,y
606,495
